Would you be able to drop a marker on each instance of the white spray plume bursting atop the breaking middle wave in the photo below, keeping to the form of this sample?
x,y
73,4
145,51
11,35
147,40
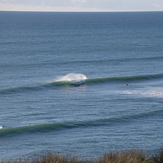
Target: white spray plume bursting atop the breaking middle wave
x,y
72,77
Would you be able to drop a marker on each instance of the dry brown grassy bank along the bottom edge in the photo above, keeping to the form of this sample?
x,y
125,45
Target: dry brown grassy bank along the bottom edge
x,y
132,156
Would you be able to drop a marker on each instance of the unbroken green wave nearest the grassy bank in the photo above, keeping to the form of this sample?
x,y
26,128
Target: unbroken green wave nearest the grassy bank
x,y
78,124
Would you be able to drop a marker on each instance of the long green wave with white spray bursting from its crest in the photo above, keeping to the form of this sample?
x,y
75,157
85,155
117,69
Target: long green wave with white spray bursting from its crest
x,y
72,79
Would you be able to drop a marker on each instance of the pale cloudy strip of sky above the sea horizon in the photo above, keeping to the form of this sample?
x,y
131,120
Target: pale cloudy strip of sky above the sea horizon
x,y
81,5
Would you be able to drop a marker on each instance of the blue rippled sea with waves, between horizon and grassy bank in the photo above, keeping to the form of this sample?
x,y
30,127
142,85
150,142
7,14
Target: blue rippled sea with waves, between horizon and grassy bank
x,y
80,84
